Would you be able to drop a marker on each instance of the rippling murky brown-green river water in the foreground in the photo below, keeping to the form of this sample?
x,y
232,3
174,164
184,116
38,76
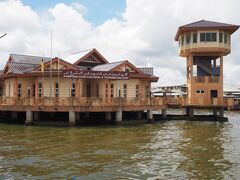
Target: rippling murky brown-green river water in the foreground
x,y
174,149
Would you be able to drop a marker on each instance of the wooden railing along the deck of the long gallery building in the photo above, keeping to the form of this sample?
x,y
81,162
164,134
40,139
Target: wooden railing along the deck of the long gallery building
x,y
84,101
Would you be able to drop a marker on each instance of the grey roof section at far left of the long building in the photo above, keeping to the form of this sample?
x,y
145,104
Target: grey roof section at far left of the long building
x,y
18,58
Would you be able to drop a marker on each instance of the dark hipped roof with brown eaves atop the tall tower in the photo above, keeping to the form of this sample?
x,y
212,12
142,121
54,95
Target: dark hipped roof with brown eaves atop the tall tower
x,y
206,25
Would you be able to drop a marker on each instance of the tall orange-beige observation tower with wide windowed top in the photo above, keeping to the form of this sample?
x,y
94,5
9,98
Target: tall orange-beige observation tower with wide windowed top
x,y
204,44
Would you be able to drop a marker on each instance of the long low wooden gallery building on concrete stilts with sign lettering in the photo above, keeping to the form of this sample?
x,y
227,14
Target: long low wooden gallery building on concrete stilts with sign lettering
x,y
89,84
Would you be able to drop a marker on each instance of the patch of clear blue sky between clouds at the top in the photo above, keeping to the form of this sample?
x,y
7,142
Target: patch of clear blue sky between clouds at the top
x,y
97,10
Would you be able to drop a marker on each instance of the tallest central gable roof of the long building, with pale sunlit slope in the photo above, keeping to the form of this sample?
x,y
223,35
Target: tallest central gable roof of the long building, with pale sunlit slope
x,y
82,55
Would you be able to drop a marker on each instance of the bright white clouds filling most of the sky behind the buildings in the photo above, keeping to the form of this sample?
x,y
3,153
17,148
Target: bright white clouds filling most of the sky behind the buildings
x,y
144,35
